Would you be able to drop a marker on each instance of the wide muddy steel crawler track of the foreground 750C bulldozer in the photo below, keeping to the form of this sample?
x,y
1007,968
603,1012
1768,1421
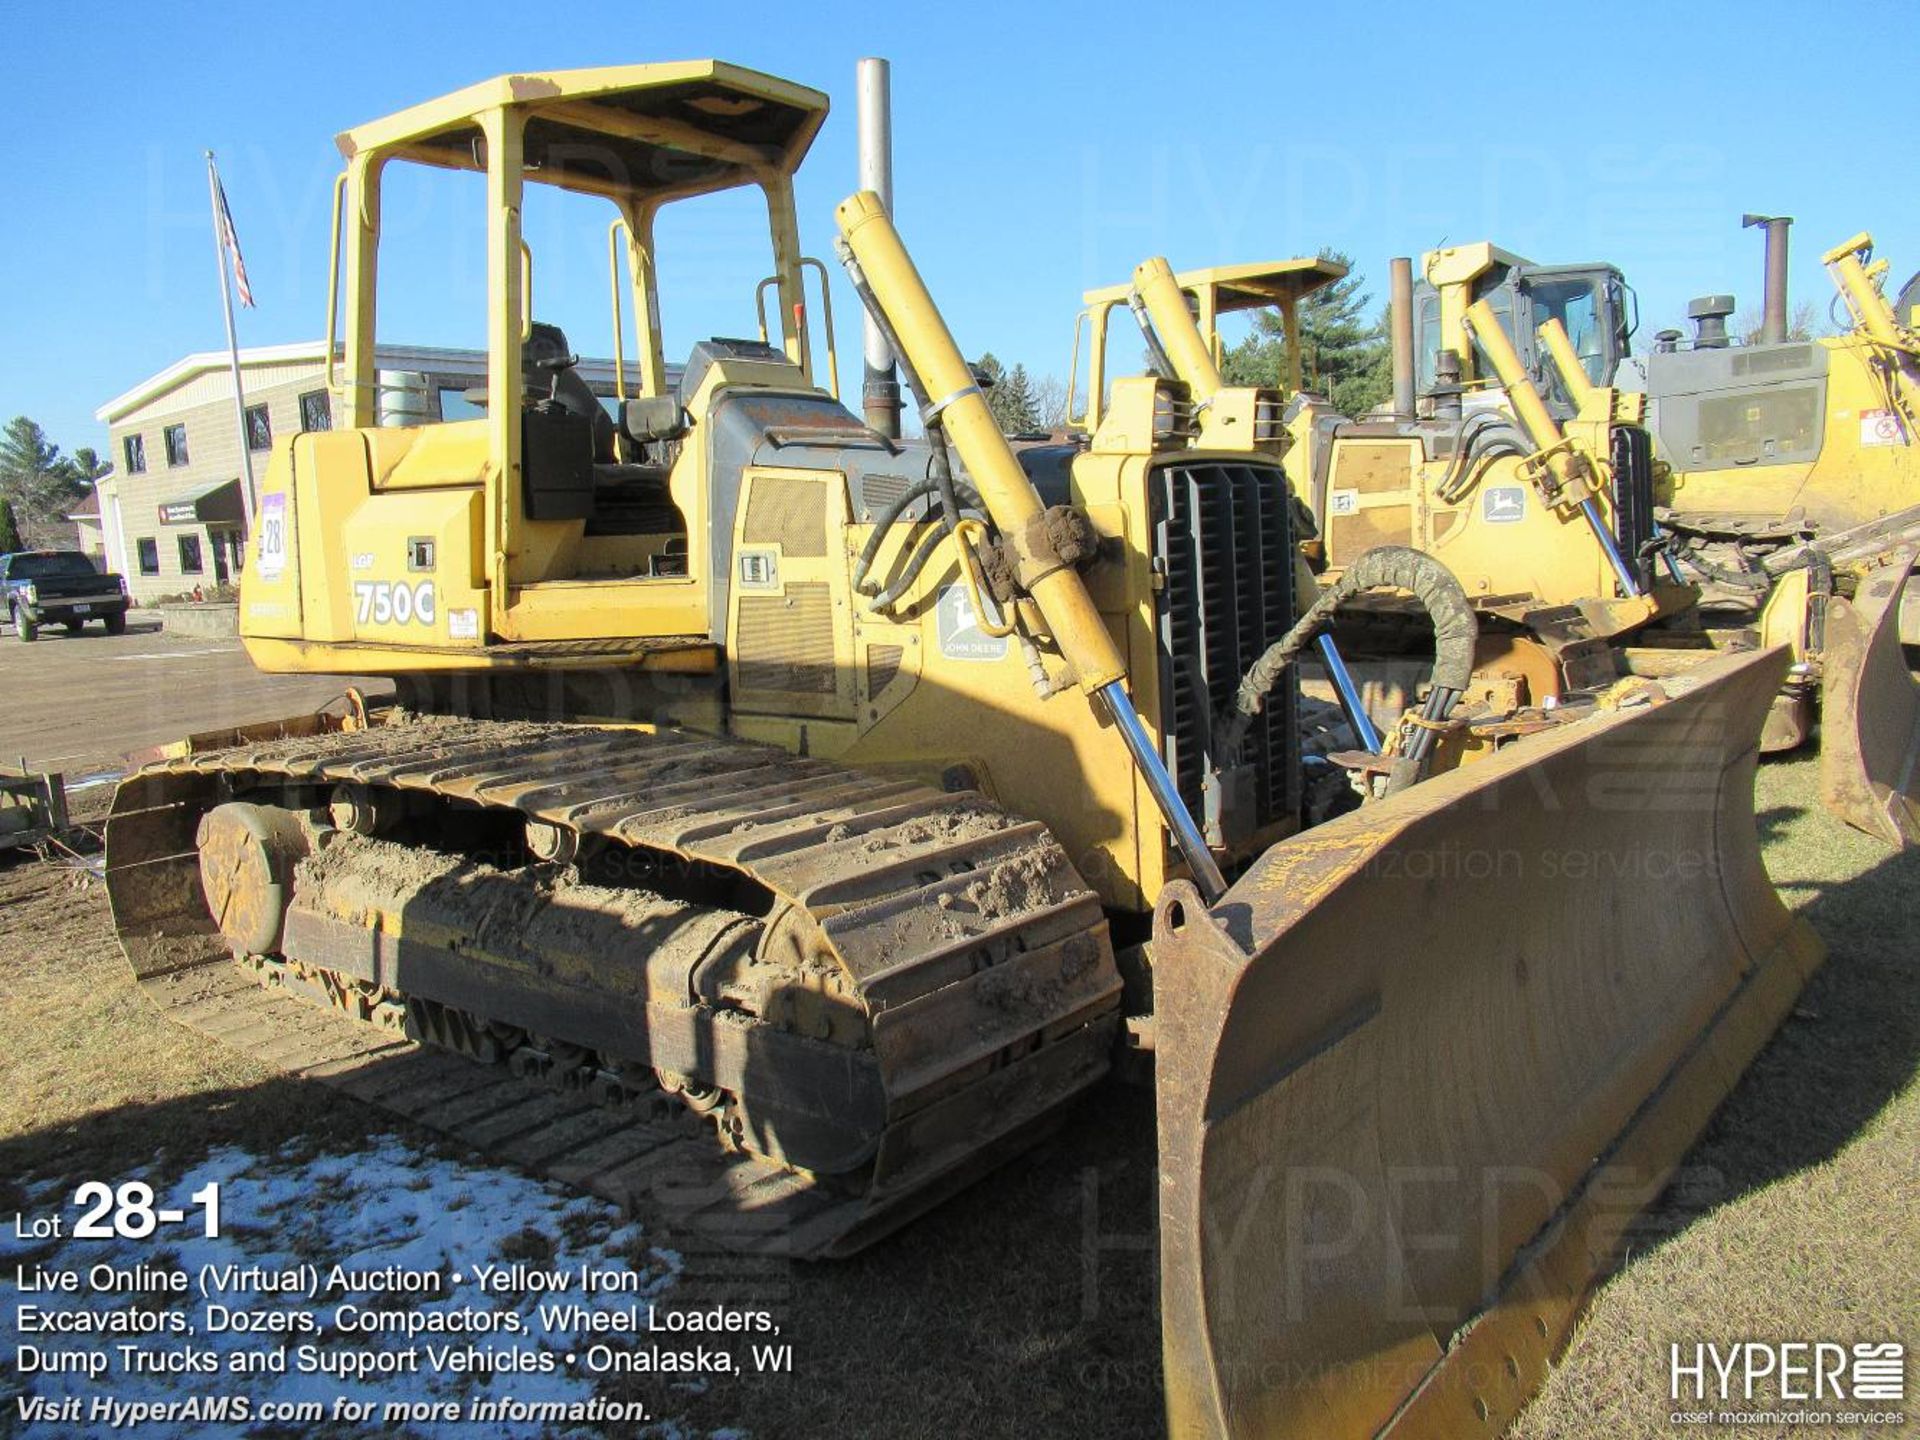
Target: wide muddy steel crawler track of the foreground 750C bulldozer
x,y
961,934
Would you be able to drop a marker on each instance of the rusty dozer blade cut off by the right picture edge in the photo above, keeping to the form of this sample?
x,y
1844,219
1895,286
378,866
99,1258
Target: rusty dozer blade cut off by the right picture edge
x,y
1871,711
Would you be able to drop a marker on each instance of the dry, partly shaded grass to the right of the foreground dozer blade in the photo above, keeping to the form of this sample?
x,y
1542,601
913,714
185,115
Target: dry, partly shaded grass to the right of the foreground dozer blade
x,y
1796,1216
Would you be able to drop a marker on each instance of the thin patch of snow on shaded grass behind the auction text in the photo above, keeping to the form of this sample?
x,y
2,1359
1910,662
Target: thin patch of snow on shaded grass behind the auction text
x,y
385,1205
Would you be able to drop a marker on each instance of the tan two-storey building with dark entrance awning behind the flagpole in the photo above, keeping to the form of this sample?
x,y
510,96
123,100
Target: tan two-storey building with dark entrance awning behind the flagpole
x,y
172,516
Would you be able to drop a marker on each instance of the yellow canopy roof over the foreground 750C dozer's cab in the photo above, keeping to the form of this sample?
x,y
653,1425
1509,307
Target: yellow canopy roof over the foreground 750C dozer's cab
x,y
681,128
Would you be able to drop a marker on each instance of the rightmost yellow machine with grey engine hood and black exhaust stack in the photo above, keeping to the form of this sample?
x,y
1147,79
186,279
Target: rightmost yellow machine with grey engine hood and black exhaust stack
x,y
1796,494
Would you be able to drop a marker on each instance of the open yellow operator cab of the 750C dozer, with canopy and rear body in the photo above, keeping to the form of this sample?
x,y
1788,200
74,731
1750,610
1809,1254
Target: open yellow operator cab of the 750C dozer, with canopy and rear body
x,y
550,521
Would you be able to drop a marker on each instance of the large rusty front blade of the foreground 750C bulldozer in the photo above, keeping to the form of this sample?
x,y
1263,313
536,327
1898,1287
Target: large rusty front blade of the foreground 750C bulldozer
x,y
1422,1067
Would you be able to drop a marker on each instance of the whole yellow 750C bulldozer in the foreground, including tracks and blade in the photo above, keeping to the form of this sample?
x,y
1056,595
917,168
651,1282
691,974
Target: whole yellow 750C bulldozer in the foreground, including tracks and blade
x,y
852,800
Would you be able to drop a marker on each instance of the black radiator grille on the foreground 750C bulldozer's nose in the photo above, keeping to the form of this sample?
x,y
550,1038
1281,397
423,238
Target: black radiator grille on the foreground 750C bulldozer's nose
x,y
1224,539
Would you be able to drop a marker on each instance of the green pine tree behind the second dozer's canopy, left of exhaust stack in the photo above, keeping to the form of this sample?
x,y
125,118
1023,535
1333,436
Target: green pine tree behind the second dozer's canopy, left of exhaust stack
x,y
1343,354
